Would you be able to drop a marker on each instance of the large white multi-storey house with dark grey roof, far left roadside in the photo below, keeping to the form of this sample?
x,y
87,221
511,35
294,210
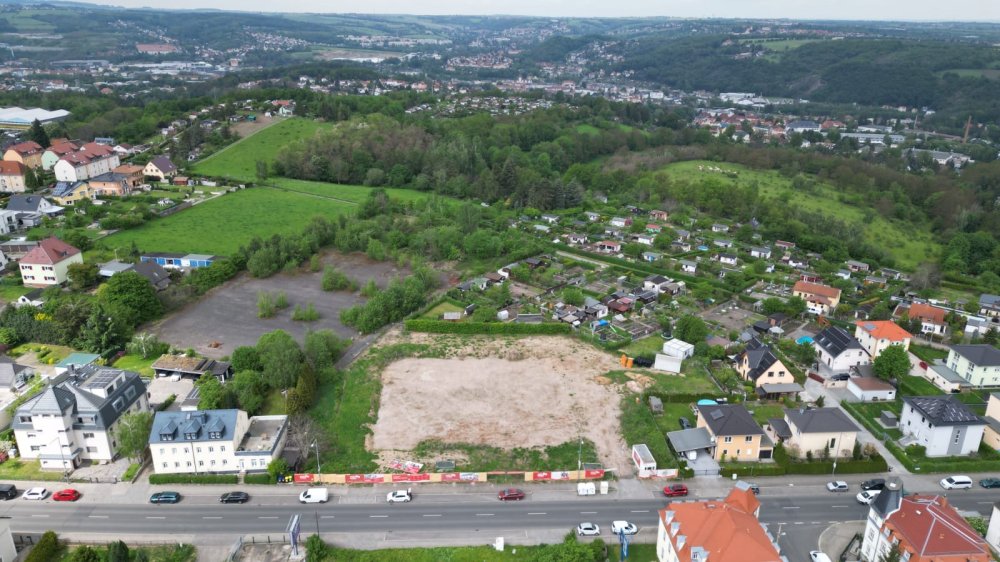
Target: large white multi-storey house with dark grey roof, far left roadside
x,y
75,419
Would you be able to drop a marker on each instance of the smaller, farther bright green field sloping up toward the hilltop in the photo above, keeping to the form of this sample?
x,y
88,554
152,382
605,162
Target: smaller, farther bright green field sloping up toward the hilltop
x,y
238,161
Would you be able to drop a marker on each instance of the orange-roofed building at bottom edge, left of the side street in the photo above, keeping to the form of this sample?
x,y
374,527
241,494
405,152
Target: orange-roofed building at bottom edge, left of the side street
x,y
715,531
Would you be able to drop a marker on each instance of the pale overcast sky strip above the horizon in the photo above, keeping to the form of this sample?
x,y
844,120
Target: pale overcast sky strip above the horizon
x,y
965,10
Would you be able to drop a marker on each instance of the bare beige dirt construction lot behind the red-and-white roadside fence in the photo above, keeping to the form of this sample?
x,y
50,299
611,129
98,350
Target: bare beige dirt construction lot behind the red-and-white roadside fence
x,y
530,392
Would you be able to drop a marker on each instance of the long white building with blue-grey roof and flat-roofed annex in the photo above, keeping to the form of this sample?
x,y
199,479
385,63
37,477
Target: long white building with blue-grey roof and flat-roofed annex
x,y
215,441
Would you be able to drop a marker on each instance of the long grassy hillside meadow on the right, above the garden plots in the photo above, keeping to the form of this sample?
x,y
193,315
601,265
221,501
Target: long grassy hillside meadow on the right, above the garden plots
x,y
909,244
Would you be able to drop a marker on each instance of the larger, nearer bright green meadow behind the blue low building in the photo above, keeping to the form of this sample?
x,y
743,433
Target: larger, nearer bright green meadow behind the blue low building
x,y
222,225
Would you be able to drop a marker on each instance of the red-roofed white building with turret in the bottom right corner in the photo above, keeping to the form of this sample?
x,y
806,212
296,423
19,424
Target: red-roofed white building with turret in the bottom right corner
x,y
924,528
